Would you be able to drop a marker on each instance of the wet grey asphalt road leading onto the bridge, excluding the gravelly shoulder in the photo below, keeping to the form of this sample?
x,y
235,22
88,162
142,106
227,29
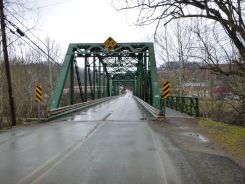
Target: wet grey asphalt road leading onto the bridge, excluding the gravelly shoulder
x,y
106,144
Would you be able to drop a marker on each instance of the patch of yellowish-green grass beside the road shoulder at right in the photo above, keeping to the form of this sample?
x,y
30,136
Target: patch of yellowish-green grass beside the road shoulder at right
x,y
229,137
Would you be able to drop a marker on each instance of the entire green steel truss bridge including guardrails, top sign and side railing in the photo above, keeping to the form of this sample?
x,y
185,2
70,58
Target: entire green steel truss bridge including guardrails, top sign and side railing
x,y
109,68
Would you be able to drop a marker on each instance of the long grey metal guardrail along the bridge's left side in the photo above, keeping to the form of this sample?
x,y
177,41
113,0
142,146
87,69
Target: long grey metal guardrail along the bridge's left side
x,y
62,111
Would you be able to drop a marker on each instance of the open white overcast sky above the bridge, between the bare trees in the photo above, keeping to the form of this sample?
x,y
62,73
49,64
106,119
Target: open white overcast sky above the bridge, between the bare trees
x,y
83,21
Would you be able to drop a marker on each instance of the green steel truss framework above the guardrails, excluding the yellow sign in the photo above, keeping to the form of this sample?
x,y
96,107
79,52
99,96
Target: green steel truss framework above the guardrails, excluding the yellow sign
x,y
128,62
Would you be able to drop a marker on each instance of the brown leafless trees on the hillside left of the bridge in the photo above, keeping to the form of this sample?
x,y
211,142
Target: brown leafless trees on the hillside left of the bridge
x,y
27,71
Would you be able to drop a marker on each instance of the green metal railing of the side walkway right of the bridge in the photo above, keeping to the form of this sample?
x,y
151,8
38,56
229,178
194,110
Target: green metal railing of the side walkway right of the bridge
x,y
189,105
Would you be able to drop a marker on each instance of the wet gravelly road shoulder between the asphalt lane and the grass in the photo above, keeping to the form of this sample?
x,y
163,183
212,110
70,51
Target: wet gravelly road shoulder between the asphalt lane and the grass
x,y
197,158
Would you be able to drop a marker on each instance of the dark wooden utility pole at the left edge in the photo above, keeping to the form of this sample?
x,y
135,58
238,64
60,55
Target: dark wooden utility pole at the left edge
x,y
6,61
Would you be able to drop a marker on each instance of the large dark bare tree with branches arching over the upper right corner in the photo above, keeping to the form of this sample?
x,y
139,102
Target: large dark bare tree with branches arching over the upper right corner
x,y
229,14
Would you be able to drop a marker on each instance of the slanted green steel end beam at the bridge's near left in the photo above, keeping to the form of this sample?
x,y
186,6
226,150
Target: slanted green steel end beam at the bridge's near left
x,y
55,100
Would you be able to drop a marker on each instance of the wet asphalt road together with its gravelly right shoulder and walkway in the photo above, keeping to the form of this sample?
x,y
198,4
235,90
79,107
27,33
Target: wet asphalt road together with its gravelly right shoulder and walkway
x,y
112,143
